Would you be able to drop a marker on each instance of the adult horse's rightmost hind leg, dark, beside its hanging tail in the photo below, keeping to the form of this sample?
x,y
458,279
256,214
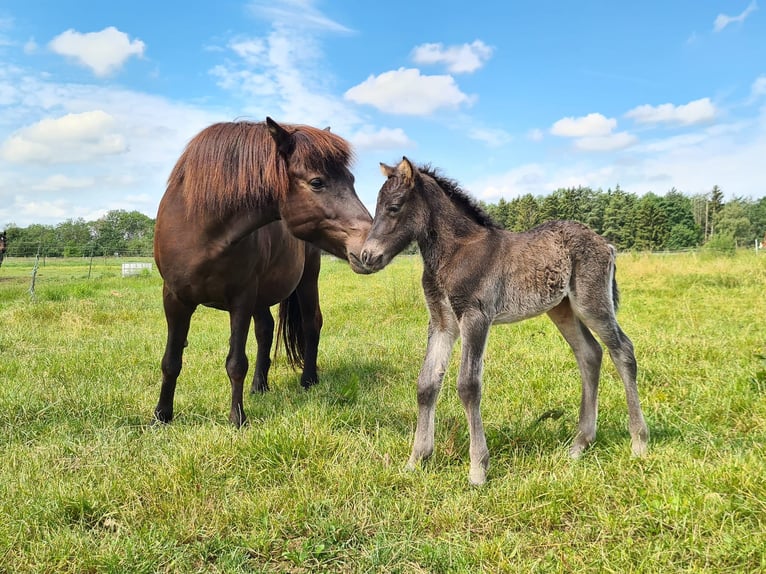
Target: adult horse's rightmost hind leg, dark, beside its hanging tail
x,y
311,315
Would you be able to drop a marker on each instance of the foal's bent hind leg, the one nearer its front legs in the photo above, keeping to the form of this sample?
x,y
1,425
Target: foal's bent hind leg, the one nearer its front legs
x,y
588,354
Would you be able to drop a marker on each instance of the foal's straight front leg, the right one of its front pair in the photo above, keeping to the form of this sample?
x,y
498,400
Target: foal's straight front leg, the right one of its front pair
x,y
474,328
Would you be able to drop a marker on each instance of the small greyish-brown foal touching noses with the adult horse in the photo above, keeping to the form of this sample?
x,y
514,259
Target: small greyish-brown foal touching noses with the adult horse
x,y
476,274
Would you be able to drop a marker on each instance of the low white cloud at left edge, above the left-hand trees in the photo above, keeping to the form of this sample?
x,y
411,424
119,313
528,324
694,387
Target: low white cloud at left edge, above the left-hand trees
x,y
71,138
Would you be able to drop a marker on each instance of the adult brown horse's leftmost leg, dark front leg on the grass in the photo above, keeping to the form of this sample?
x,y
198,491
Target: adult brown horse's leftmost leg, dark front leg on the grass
x,y
178,317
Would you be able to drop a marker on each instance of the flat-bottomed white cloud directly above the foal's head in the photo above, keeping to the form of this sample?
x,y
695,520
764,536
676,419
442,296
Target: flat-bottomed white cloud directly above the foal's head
x,y
407,92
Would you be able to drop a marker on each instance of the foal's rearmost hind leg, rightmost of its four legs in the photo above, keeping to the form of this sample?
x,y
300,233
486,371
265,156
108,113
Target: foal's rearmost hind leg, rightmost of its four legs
x,y
621,351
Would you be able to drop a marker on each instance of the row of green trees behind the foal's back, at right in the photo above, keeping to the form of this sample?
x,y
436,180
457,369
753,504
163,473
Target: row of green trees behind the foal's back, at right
x,y
649,222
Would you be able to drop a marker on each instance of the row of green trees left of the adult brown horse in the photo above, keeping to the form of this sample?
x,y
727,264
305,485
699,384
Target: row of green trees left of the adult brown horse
x,y
118,232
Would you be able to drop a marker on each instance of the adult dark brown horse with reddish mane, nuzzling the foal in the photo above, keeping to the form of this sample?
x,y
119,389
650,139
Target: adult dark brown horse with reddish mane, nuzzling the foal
x,y
248,207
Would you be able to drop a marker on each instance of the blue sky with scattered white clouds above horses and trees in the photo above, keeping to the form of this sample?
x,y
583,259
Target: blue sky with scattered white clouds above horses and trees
x,y
98,99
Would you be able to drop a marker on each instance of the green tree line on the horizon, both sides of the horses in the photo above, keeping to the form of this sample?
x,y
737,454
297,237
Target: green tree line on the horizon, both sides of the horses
x,y
648,222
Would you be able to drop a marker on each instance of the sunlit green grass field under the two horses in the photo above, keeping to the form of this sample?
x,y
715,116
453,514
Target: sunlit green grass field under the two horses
x,y
315,481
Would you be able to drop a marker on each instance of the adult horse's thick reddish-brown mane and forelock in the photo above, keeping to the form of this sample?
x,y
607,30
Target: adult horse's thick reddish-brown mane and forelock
x,y
235,165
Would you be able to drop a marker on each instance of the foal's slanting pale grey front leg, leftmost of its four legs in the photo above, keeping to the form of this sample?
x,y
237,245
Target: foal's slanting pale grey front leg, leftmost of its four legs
x,y
441,339
